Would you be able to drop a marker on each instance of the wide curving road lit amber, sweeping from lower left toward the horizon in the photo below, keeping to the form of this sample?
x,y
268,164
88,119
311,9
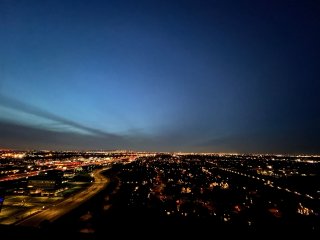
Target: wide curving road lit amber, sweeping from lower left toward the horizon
x,y
55,212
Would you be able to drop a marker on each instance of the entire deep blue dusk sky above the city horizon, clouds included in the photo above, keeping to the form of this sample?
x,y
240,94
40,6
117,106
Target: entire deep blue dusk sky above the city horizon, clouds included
x,y
223,76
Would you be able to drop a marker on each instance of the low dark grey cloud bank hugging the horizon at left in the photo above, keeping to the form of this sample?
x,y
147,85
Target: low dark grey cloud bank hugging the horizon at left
x,y
19,136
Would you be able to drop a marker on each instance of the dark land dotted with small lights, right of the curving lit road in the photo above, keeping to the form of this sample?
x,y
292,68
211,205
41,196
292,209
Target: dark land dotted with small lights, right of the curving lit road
x,y
166,197
